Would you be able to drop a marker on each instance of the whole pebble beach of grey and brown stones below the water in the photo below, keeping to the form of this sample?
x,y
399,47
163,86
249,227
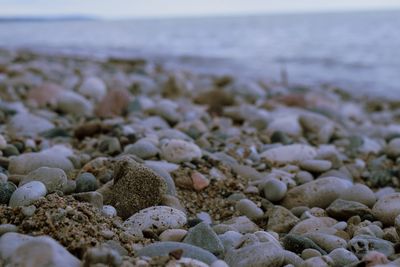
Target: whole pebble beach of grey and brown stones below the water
x,y
123,162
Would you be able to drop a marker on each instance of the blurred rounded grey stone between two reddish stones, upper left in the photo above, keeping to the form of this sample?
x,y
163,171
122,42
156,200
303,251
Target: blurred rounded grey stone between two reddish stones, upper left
x,y
73,103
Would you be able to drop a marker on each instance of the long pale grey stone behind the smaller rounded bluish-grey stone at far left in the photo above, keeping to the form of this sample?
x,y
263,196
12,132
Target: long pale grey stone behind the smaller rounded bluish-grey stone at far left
x,y
55,157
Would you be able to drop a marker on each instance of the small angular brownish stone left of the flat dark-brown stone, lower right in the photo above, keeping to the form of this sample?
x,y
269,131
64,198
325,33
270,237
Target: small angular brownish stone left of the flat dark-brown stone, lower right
x,y
281,220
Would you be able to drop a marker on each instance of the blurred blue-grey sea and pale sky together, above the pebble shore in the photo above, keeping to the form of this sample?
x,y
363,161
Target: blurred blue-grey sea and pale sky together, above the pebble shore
x,y
352,44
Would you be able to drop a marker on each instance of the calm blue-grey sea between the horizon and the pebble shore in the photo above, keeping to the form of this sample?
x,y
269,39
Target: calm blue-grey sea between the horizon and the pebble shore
x,y
359,51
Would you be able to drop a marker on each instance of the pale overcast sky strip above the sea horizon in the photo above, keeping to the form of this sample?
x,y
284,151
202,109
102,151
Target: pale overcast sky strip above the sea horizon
x,y
167,8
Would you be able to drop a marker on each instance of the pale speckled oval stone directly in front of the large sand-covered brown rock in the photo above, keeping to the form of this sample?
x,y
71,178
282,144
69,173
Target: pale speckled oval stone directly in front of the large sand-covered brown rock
x,y
158,218
